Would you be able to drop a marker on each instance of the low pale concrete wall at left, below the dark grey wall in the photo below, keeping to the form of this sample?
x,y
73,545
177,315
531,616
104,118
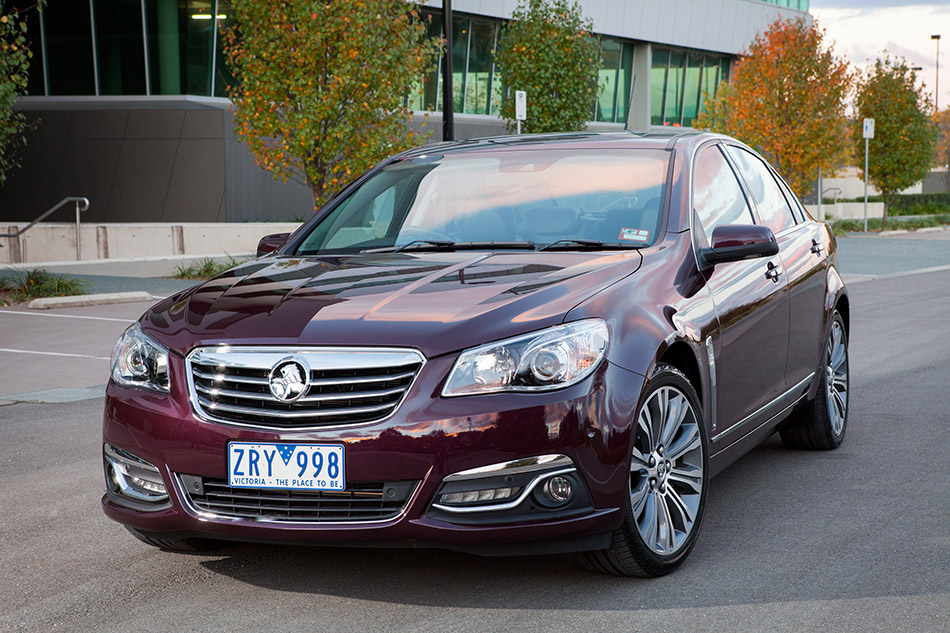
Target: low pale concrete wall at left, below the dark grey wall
x,y
57,242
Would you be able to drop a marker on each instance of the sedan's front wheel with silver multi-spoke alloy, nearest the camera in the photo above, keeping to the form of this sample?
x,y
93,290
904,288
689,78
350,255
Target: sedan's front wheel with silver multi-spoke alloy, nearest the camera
x,y
678,486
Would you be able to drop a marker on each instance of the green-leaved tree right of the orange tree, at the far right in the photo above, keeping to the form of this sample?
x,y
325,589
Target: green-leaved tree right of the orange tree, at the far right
x,y
905,137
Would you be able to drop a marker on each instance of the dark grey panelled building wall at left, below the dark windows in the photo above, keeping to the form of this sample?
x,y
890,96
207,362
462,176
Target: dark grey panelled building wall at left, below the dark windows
x,y
160,159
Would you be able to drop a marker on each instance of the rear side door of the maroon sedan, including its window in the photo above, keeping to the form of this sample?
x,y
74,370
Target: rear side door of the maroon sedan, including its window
x,y
803,257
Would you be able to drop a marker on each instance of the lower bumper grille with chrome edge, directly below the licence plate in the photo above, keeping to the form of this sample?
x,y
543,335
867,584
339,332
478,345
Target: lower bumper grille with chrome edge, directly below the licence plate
x,y
361,501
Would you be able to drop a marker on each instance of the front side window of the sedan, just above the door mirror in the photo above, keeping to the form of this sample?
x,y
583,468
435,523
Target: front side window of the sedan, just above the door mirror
x,y
717,196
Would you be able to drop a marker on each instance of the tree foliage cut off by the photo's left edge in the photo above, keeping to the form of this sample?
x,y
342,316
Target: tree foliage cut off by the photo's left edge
x,y
15,58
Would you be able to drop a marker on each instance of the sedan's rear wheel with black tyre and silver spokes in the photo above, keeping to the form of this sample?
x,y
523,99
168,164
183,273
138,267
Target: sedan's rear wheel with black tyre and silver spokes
x,y
822,422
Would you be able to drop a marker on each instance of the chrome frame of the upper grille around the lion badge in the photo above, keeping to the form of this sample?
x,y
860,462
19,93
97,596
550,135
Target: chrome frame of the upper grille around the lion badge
x,y
350,358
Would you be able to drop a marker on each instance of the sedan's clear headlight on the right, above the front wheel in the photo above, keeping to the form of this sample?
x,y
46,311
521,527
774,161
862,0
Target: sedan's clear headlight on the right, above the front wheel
x,y
550,359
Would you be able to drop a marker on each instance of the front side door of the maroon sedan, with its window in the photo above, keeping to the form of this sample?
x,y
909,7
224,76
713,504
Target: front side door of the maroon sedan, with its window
x,y
750,301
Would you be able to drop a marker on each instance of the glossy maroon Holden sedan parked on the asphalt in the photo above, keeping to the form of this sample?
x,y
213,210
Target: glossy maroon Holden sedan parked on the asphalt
x,y
512,345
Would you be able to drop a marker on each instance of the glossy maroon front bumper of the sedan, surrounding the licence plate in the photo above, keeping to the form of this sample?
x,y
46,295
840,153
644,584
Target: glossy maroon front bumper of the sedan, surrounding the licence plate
x,y
427,440
